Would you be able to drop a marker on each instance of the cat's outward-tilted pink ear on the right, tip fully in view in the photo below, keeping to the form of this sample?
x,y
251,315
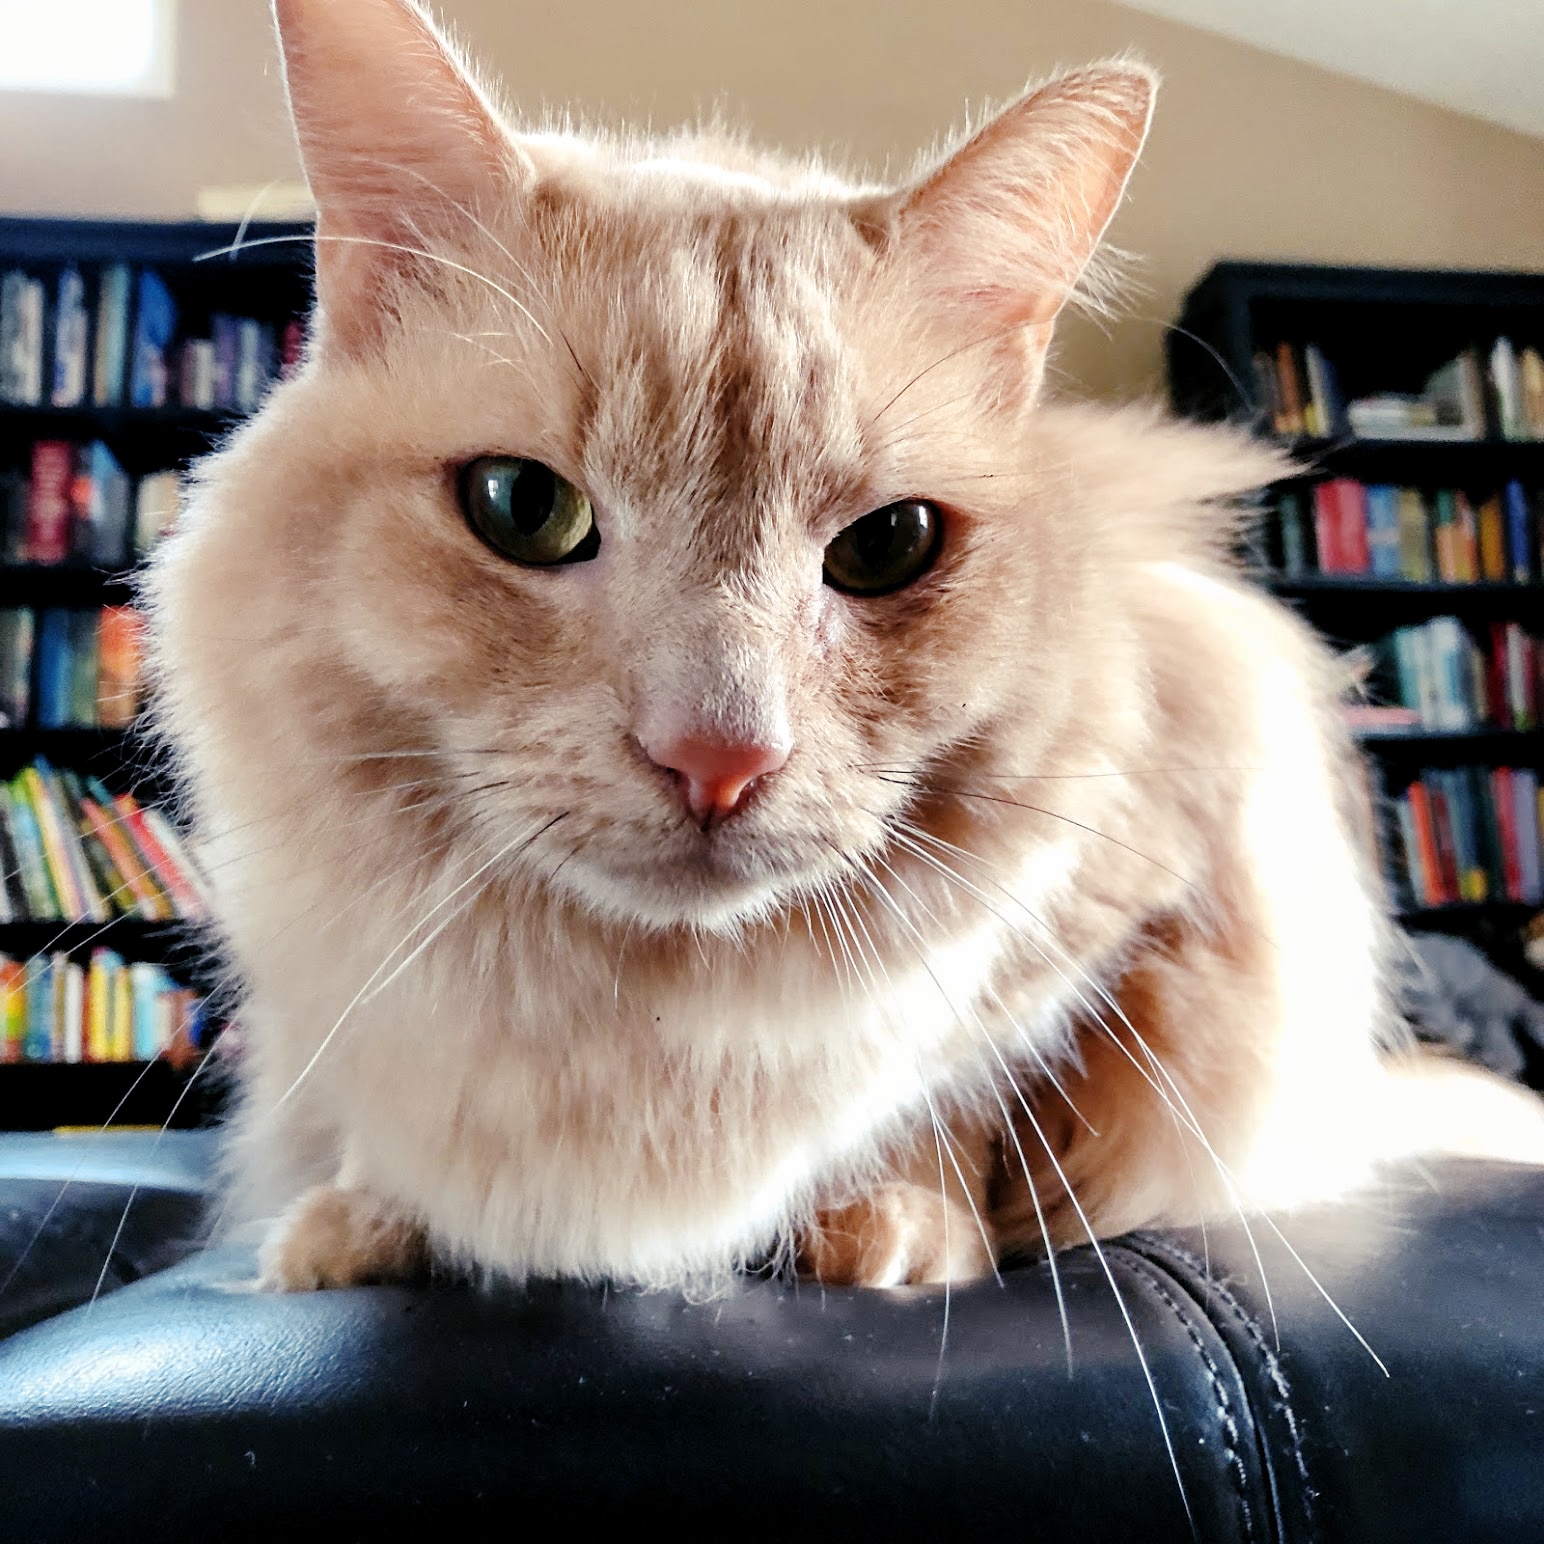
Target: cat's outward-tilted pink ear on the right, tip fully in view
x,y
1007,225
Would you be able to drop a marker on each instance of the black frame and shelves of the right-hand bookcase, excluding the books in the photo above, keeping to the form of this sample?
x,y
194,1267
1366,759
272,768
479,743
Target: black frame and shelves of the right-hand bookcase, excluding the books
x,y
1386,331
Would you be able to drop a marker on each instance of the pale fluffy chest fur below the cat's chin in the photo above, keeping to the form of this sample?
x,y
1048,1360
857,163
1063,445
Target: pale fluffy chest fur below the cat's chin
x,y
612,1117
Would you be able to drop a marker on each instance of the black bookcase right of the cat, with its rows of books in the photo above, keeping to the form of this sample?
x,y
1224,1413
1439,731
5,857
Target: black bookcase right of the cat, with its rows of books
x,y
1381,543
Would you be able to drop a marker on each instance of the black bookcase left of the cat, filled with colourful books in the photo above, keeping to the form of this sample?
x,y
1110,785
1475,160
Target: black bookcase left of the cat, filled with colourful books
x,y
126,351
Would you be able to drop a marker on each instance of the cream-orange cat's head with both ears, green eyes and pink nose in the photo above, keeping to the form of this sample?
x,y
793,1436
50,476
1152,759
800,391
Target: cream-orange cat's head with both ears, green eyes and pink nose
x,y
680,504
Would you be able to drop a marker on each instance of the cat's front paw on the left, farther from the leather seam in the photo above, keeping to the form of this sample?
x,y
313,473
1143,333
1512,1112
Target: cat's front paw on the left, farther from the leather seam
x,y
342,1238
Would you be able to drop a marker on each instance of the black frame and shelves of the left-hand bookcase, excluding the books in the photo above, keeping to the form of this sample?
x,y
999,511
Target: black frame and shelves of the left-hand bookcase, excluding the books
x,y
266,277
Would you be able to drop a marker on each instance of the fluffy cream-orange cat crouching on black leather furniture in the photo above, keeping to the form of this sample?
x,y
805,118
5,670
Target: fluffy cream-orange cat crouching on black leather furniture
x,y
700,762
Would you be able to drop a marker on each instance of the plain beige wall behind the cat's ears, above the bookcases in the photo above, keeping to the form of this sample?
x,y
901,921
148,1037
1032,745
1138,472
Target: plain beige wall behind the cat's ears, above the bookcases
x,y
1251,157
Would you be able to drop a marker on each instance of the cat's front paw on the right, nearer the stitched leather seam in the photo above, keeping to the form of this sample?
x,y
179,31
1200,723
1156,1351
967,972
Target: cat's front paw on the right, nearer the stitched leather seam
x,y
899,1234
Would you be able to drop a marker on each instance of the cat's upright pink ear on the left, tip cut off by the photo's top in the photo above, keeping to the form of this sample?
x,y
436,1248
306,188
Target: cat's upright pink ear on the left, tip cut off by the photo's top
x,y
399,143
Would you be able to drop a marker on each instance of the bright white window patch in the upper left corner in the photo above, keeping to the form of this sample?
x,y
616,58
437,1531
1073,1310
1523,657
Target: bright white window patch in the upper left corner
x,y
100,47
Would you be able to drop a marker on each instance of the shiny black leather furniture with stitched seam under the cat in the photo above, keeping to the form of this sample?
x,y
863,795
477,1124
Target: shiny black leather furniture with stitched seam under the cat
x,y
185,1406
